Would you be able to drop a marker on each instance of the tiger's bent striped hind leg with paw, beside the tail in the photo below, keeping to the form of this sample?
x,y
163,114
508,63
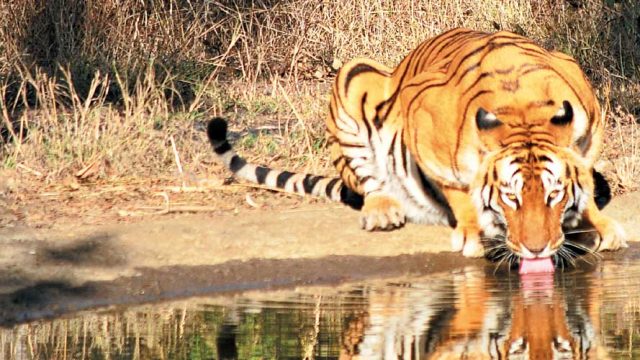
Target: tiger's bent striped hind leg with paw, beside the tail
x,y
361,129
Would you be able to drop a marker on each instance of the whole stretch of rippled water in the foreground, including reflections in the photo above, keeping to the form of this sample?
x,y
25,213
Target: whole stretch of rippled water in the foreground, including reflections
x,y
472,313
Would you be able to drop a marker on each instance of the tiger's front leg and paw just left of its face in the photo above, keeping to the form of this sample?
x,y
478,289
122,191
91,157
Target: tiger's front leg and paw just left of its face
x,y
466,235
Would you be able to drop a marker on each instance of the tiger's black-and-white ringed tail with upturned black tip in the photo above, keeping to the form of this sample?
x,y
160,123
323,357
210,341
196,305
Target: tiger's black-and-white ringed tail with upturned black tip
x,y
303,184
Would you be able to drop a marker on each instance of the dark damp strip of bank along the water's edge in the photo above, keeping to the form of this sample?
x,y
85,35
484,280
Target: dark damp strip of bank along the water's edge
x,y
47,299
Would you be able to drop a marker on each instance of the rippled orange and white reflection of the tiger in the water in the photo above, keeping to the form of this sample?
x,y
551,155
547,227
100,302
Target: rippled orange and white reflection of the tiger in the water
x,y
490,317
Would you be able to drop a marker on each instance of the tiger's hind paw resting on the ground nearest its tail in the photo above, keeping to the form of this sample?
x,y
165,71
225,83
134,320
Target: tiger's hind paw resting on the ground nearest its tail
x,y
381,212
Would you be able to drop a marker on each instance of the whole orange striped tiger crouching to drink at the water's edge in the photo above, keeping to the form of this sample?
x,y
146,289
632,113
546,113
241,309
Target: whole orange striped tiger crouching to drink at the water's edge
x,y
487,133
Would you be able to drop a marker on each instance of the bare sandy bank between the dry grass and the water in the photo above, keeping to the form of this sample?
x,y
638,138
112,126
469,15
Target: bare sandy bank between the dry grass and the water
x,y
44,272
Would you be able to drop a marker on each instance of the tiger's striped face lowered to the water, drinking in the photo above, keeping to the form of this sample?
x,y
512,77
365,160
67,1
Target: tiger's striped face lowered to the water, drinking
x,y
526,195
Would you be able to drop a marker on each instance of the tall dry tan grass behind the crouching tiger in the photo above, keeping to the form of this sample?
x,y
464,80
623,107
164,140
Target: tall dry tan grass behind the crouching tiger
x,y
100,89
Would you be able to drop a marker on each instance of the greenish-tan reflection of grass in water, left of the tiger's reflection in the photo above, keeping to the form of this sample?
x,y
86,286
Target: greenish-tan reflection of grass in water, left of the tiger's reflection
x,y
178,330
